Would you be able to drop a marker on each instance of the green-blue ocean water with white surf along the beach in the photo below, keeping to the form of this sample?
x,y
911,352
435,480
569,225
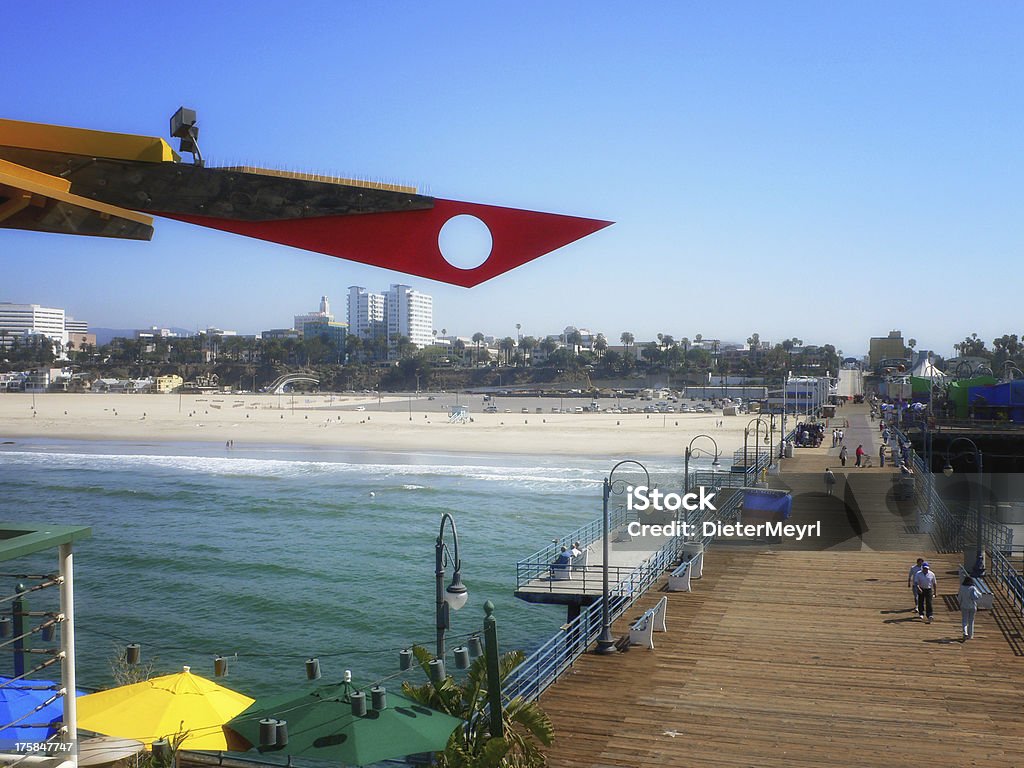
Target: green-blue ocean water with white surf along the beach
x,y
273,556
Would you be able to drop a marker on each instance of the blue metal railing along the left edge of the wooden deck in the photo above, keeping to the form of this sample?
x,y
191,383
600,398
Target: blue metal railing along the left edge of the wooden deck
x,y
548,663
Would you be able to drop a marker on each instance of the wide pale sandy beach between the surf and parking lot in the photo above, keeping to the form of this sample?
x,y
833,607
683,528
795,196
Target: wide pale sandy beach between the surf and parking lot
x,y
390,423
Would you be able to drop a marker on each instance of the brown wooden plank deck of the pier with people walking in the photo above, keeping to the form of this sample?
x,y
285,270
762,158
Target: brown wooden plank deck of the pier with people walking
x,y
789,657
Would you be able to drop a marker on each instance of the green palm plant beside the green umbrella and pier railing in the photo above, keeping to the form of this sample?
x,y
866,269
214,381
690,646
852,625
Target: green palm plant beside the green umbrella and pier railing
x,y
526,726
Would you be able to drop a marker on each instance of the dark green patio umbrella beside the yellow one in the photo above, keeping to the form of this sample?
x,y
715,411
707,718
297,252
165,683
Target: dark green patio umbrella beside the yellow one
x,y
322,724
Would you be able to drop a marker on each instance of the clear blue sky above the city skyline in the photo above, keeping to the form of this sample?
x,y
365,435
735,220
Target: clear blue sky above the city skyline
x,y
822,170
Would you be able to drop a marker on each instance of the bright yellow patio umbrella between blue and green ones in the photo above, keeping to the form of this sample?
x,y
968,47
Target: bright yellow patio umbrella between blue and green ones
x,y
163,708
